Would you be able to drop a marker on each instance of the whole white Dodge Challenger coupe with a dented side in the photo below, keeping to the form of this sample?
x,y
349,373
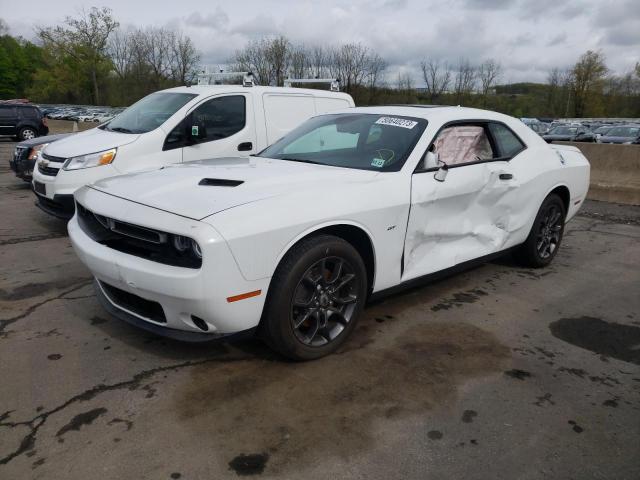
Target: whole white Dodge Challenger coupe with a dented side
x,y
291,243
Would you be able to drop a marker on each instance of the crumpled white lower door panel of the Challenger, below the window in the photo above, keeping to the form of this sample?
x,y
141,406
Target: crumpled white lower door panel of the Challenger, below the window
x,y
469,215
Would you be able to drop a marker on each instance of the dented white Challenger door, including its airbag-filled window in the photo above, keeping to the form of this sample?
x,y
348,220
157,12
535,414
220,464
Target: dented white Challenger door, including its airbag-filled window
x,y
464,212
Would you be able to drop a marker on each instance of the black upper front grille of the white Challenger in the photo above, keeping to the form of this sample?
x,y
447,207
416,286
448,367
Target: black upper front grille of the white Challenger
x,y
134,240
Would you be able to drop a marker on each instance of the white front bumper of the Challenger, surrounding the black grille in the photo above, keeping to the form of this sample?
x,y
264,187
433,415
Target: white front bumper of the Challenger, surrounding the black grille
x,y
189,298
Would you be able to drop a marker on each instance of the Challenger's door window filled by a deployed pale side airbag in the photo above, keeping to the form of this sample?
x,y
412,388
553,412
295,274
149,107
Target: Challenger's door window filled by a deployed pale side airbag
x,y
462,144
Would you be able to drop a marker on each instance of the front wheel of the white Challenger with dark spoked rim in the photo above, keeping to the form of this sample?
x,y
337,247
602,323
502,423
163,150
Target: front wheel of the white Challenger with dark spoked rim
x,y
316,296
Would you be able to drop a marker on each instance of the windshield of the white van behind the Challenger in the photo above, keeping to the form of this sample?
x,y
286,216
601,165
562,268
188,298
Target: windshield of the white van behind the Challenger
x,y
149,113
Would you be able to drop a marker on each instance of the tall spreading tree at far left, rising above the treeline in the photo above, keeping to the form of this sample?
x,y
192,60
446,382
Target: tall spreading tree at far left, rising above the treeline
x,y
84,39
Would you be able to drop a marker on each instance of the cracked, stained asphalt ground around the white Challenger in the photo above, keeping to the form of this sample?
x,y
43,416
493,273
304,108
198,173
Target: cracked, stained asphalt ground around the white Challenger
x,y
498,372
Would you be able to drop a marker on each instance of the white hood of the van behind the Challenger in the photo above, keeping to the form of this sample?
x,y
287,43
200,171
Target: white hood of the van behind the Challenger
x,y
89,141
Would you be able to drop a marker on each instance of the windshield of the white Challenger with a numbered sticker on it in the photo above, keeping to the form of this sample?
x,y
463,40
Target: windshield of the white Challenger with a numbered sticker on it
x,y
354,140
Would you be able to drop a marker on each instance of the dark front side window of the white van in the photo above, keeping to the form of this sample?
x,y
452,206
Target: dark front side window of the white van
x,y
218,118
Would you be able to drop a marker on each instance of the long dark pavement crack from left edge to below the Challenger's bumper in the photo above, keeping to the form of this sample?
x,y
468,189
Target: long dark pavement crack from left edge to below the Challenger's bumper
x,y
29,440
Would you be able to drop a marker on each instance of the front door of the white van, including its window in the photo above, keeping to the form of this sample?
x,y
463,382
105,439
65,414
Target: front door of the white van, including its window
x,y
222,126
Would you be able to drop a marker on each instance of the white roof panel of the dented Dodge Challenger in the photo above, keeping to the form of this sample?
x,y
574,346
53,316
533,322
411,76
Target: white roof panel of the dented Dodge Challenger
x,y
432,113
